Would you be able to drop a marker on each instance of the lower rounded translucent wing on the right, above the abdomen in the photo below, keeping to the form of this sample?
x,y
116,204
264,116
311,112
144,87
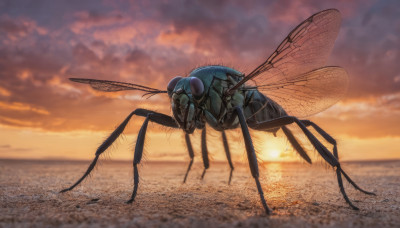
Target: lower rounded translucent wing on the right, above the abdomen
x,y
309,93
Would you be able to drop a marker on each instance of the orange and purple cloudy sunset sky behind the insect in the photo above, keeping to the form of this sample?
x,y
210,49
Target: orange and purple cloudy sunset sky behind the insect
x,y
43,115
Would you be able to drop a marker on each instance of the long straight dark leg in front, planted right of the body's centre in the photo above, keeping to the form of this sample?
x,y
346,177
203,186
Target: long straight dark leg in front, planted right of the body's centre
x,y
251,156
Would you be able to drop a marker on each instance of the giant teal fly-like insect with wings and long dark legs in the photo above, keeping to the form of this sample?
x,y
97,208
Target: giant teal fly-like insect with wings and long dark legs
x,y
293,82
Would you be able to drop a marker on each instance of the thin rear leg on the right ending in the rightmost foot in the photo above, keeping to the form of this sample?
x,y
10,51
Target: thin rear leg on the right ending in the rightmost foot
x,y
332,141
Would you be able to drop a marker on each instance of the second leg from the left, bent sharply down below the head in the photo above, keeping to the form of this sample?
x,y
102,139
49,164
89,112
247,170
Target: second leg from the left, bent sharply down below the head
x,y
154,117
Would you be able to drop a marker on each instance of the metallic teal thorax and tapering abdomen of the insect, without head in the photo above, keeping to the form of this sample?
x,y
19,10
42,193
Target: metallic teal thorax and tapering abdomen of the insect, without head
x,y
217,109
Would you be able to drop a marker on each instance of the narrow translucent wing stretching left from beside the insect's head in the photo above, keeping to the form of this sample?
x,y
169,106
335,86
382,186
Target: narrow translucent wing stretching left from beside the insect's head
x,y
112,86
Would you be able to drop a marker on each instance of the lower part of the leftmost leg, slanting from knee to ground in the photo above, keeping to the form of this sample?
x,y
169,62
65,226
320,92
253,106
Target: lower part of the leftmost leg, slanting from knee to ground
x,y
101,149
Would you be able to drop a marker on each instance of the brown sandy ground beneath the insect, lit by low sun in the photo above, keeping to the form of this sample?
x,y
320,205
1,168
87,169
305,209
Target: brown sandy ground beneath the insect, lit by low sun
x,y
300,195
